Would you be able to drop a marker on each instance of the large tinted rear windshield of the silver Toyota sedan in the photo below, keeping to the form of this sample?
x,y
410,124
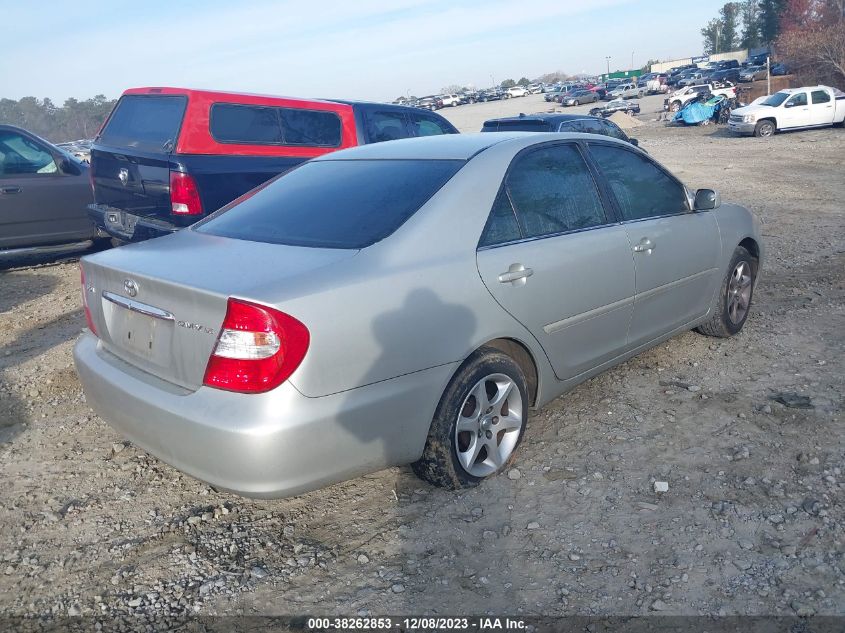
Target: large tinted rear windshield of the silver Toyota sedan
x,y
333,204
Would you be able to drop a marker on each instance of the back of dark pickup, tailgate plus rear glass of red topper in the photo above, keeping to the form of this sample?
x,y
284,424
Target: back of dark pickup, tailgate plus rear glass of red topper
x,y
130,160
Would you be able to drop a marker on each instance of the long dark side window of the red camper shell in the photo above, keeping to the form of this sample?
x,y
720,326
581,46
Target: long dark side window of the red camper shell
x,y
264,125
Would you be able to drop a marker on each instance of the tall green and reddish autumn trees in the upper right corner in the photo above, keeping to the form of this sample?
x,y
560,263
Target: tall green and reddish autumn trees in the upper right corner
x,y
809,35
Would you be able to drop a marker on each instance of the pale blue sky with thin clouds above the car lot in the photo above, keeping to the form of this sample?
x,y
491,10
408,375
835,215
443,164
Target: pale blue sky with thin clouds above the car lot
x,y
357,49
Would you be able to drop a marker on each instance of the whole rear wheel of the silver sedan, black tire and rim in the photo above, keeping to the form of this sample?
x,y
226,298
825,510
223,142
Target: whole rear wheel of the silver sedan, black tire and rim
x,y
478,424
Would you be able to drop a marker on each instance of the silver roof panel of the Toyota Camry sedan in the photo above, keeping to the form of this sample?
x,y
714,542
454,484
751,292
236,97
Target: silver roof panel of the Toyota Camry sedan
x,y
447,146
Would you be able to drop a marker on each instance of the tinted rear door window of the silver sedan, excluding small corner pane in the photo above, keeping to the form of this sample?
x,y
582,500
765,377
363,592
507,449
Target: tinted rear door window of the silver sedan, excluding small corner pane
x,y
552,191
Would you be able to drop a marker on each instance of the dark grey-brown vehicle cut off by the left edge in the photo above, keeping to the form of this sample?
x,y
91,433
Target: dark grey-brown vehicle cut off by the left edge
x,y
44,192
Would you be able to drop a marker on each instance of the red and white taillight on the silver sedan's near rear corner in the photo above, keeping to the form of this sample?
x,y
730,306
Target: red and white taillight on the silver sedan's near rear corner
x,y
257,350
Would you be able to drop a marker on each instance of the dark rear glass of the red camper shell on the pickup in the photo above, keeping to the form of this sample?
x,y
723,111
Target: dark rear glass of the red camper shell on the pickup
x,y
145,122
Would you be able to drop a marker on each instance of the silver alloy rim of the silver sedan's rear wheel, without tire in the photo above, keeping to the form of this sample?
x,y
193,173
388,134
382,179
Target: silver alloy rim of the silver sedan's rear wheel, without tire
x,y
488,425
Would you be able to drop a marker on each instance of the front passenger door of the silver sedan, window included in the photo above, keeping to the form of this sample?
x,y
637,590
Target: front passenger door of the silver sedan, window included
x,y
675,250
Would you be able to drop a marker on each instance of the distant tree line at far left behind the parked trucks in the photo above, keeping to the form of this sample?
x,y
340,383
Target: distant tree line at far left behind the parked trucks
x,y
69,122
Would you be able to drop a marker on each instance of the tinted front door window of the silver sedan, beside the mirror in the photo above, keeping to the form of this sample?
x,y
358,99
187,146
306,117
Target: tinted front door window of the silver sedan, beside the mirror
x,y
640,187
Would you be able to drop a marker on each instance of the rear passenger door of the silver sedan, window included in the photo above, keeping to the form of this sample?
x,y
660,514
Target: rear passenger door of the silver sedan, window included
x,y
557,261
